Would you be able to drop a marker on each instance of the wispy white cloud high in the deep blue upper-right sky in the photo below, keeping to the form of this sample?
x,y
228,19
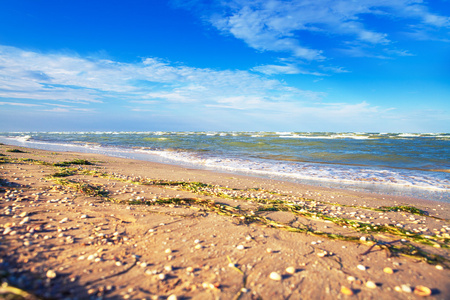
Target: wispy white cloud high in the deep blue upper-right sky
x,y
278,25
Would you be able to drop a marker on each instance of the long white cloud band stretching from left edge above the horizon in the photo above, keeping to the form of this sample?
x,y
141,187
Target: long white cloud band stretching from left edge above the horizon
x,y
77,80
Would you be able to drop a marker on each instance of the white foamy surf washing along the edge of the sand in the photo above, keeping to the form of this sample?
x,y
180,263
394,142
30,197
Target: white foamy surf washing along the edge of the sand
x,y
413,192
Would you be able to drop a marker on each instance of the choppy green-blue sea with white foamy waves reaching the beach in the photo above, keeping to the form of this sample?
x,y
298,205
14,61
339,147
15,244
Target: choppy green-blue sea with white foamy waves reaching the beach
x,y
416,165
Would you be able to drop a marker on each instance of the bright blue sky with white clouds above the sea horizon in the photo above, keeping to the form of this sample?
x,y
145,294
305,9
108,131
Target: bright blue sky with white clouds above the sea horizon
x,y
273,65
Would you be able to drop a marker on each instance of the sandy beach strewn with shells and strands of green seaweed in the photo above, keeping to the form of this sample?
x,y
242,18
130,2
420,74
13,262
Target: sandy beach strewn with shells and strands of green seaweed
x,y
87,226
